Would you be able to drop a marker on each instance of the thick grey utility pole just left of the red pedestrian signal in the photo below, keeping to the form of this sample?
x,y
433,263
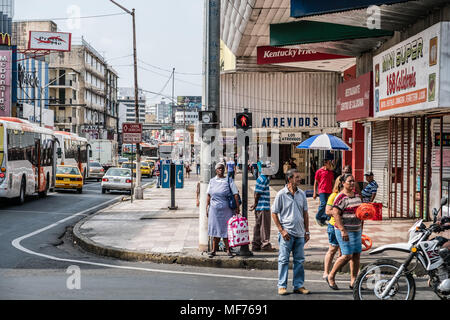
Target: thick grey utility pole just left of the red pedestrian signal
x,y
211,105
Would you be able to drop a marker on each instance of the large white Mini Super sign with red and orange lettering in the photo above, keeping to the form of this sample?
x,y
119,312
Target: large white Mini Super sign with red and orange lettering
x,y
411,76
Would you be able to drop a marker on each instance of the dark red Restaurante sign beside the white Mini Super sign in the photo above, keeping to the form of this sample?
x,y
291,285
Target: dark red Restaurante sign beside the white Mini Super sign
x,y
354,99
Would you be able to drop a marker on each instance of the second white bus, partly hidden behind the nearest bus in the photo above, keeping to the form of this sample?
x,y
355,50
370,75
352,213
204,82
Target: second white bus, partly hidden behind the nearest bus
x,y
73,150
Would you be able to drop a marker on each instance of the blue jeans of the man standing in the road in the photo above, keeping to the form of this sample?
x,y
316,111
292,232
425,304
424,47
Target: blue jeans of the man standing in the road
x,y
294,245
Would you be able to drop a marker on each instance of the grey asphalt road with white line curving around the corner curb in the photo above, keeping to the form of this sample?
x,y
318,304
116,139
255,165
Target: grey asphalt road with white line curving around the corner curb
x,y
40,262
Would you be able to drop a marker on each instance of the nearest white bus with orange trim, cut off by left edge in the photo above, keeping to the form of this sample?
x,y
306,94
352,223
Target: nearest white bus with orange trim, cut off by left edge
x,y
27,159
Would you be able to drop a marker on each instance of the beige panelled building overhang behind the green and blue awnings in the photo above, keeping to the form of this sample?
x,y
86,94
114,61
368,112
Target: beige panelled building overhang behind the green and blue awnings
x,y
246,23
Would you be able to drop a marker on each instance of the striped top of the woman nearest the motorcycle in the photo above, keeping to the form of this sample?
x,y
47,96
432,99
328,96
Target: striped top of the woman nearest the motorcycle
x,y
347,207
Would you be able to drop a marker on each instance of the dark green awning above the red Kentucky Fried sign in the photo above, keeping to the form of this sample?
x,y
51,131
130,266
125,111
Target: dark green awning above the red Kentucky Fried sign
x,y
303,32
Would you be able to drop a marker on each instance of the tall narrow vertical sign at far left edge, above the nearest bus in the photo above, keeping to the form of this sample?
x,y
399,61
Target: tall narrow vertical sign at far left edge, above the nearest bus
x,y
5,83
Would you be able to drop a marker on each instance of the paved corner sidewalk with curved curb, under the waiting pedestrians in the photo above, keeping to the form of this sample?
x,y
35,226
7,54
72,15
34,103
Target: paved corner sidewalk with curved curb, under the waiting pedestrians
x,y
146,230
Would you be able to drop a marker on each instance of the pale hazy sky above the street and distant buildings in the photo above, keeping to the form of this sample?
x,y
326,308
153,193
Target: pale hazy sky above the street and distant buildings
x,y
169,35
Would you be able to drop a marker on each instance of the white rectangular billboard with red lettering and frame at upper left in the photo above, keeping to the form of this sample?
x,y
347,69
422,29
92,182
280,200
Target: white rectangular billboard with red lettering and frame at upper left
x,y
55,41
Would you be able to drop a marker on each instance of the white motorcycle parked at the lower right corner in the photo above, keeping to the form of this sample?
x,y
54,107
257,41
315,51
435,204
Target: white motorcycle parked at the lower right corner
x,y
388,279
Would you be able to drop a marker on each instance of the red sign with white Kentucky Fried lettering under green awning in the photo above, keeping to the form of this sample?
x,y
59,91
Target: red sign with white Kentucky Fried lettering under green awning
x,y
271,55
